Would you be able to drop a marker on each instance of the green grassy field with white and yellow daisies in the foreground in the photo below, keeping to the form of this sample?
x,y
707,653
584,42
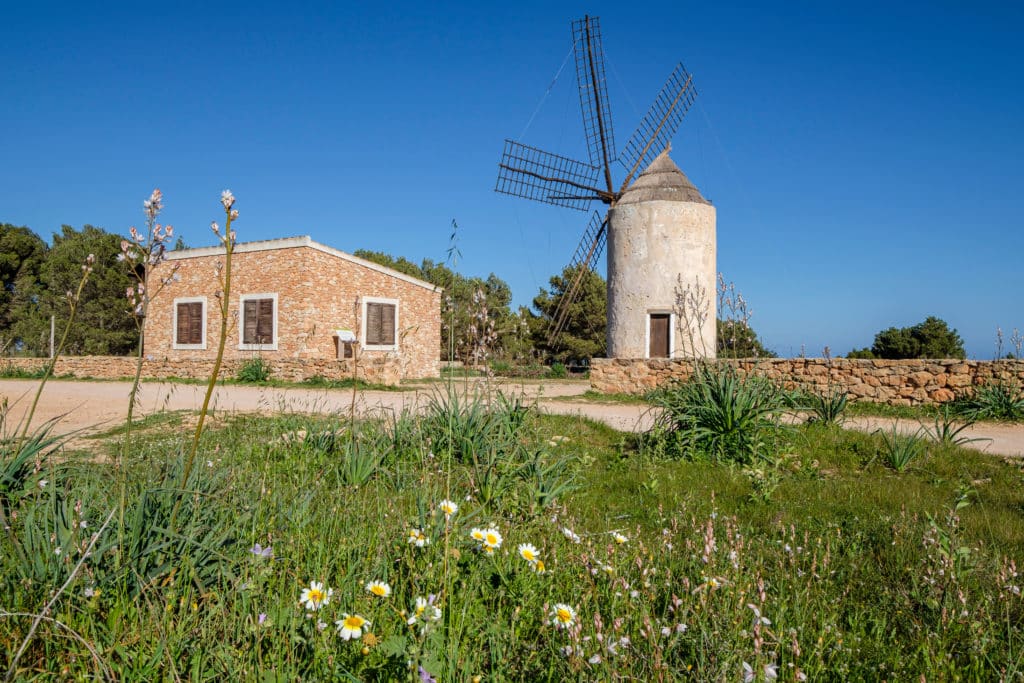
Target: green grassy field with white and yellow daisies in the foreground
x,y
596,556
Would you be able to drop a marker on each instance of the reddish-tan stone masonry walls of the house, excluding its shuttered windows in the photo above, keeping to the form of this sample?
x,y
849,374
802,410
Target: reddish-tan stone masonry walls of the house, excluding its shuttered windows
x,y
317,292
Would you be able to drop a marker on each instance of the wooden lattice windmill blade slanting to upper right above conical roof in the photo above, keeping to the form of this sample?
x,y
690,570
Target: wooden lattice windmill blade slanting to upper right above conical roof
x,y
660,124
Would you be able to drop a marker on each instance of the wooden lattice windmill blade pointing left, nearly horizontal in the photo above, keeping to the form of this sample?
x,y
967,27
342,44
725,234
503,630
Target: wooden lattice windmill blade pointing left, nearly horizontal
x,y
535,175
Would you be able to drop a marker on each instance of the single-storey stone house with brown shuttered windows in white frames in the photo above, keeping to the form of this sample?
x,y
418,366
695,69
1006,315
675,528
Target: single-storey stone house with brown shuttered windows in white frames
x,y
295,300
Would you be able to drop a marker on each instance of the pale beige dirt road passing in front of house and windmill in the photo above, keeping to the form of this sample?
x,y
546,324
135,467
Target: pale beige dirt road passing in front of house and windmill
x,y
97,406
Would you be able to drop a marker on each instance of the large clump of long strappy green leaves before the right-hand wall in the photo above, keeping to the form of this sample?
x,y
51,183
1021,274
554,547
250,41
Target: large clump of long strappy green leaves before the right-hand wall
x,y
721,415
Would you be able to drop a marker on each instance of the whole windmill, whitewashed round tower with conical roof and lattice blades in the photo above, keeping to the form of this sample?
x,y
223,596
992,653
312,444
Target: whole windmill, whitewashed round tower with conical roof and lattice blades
x,y
659,230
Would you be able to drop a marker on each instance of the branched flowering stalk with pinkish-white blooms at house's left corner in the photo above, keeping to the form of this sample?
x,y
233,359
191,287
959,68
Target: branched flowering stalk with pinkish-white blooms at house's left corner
x,y
143,253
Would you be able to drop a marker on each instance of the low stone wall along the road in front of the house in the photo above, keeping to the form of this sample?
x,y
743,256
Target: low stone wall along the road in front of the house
x,y
380,370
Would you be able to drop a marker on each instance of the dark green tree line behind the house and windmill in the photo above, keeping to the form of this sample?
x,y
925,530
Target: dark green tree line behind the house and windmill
x,y
479,324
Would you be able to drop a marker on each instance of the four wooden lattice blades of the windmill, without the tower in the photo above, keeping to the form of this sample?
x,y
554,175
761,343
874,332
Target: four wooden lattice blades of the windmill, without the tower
x,y
540,176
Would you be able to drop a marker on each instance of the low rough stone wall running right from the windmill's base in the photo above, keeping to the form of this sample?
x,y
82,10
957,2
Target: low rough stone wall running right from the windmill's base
x,y
893,382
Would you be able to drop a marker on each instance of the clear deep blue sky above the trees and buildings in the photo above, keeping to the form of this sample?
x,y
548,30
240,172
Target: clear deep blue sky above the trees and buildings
x,y
866,159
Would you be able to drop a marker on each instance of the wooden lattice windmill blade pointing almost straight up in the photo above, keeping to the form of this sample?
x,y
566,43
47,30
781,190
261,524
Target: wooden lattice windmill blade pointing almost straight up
x,y
594,103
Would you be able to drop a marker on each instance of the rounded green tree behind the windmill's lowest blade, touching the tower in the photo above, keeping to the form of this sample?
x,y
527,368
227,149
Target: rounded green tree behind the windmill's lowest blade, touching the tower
x,y
584,336
